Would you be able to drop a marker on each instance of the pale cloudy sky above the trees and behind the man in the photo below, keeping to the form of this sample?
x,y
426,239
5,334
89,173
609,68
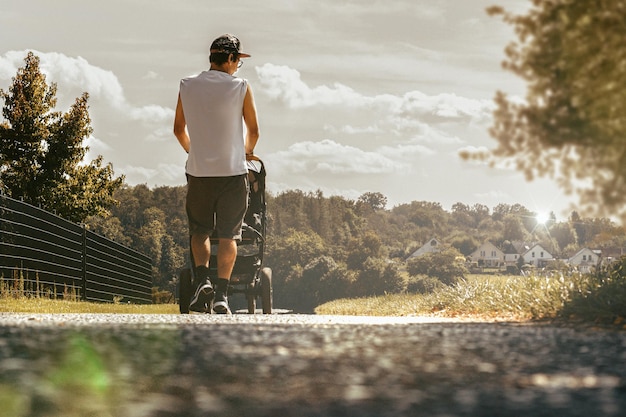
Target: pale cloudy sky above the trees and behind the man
x,y
353,96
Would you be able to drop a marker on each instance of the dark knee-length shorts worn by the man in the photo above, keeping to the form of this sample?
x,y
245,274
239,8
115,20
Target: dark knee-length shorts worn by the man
x,y
216,206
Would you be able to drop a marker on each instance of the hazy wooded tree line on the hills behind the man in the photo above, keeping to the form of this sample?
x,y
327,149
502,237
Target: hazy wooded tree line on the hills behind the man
x,y
322,248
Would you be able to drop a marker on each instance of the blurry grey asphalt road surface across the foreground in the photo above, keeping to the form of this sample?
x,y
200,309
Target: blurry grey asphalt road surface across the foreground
x,y
299,366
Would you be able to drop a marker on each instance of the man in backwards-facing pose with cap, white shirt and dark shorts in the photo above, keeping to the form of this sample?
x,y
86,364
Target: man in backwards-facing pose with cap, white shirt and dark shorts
x,y
208,124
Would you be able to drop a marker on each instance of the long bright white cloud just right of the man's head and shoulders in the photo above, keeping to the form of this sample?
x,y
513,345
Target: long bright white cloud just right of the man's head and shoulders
x,y
411,115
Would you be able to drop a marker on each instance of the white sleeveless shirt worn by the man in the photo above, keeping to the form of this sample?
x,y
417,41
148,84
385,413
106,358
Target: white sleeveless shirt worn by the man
x,y
213,105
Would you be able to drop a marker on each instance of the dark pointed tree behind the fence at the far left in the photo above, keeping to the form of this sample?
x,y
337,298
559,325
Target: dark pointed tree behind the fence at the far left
x,y
42,151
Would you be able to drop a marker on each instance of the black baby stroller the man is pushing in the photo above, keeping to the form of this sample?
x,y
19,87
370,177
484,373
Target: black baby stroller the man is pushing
x,y
249,276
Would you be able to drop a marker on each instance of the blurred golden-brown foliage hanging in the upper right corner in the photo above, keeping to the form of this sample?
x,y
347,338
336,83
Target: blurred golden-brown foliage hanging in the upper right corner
x,y
572,124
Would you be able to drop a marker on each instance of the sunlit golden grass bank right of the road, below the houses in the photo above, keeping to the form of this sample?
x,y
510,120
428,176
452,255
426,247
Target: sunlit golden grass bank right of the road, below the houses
x,y
493,297
